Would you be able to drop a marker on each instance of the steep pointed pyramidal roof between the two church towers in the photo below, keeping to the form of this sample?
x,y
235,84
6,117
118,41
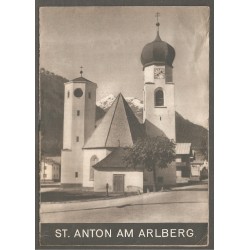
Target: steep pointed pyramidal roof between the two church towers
x,y
118,128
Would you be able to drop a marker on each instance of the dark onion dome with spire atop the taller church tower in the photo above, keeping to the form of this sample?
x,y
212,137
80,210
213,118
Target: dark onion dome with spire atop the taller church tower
x,y
157,52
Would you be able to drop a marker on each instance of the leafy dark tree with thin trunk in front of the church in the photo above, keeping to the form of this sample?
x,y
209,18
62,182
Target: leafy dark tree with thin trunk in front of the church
x,y
151,152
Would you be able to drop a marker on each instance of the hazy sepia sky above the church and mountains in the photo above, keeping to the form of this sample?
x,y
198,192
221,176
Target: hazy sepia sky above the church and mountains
x,y
108,41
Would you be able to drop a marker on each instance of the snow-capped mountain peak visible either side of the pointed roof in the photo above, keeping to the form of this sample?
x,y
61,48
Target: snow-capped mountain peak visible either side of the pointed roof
x,y
135,104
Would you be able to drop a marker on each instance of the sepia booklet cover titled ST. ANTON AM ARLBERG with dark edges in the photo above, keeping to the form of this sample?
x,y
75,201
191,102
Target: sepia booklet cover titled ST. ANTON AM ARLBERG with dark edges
x,y
124,125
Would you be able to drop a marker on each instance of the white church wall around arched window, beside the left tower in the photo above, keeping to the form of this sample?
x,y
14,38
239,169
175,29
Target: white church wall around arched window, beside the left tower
x,y
87,155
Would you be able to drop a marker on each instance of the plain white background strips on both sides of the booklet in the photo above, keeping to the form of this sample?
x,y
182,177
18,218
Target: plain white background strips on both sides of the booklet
x,y
232,102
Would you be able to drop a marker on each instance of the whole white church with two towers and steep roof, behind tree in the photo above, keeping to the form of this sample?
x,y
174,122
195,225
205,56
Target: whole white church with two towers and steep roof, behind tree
x,y
92,154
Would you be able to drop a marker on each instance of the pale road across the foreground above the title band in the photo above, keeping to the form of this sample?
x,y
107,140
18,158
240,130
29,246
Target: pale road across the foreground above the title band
x,y
179,205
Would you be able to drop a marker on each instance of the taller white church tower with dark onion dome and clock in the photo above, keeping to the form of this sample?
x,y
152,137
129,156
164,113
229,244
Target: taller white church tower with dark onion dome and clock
x,y
158,94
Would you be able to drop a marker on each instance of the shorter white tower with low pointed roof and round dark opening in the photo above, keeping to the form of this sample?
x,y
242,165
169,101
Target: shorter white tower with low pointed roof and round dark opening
x,y
78,125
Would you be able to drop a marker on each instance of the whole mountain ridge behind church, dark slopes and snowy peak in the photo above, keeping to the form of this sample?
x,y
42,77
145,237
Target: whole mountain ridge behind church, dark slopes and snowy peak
x,y
52,102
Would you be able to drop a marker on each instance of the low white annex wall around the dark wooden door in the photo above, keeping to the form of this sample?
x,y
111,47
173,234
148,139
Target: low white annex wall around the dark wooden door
x,y
133,181
